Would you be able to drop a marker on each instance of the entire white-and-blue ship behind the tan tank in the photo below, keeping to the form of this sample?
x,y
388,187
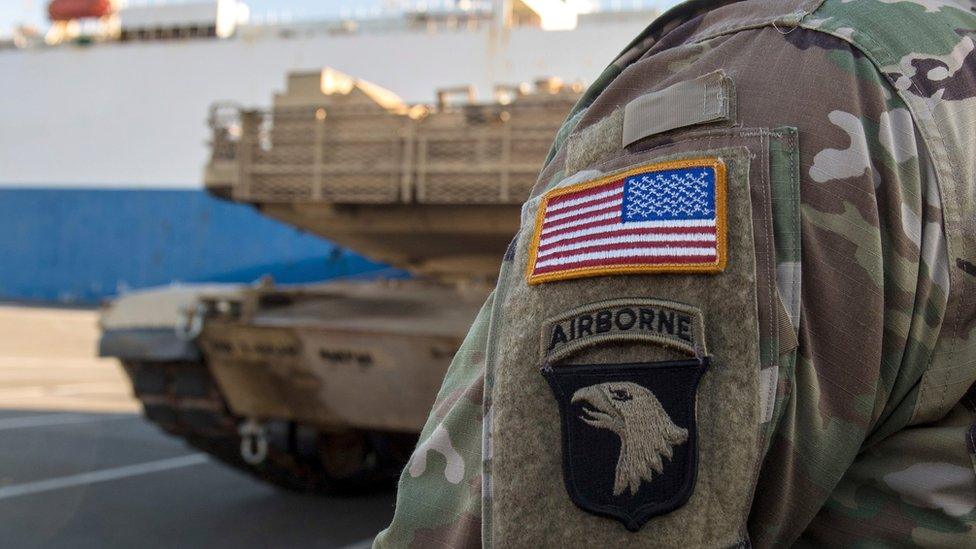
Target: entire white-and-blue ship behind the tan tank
x,y
104,133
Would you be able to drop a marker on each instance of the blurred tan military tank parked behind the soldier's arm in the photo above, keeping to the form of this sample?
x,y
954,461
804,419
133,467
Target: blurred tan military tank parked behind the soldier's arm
x,y
325,387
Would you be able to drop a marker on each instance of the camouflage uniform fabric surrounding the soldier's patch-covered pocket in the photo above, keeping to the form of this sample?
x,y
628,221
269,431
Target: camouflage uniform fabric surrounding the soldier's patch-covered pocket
x,y
871,439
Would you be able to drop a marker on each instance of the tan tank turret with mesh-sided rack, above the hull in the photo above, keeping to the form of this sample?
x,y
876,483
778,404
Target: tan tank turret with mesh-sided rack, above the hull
x,y
434,189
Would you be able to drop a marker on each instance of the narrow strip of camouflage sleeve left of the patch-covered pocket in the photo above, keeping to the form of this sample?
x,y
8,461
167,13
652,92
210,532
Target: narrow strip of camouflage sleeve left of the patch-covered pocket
x,y
439,494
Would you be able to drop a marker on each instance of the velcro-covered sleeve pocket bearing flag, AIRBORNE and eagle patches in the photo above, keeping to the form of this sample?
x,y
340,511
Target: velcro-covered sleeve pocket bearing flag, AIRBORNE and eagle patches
x,y
637,342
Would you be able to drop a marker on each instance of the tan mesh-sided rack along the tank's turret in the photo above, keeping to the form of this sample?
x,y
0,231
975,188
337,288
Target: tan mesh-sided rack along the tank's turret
x,y
370,157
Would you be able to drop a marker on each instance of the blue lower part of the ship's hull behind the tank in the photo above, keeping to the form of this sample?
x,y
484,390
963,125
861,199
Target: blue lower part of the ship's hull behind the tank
x,y
83,246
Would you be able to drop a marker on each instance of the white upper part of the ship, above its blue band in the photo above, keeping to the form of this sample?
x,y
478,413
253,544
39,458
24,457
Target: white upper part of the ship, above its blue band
x,y
122,102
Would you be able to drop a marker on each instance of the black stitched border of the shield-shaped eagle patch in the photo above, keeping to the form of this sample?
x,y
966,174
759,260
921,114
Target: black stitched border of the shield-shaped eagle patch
x,y
632,520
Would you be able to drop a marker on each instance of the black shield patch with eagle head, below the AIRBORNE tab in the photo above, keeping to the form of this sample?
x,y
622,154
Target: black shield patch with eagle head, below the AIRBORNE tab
x,y
628,435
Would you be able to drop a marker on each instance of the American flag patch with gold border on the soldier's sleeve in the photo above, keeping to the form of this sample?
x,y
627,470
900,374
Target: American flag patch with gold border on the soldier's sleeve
x,y
666,217
